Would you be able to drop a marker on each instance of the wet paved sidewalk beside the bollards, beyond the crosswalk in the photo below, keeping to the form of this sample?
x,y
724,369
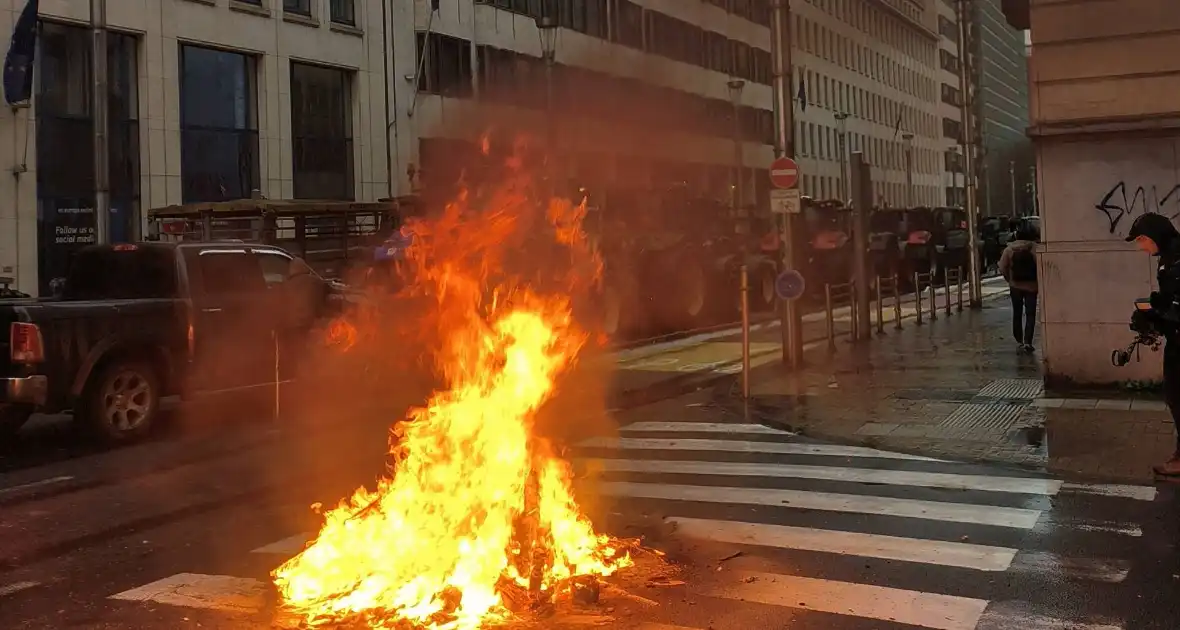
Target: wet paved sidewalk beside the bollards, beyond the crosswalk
x,y
959,389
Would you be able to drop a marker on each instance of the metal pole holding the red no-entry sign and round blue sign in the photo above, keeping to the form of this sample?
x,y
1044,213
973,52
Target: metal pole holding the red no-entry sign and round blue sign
x,y
785,146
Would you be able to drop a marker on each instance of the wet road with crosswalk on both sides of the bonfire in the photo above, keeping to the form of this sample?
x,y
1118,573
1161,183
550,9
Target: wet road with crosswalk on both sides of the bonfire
x,y
773,531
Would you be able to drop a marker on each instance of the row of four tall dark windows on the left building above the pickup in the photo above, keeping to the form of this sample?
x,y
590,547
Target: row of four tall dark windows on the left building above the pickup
x,y
219,122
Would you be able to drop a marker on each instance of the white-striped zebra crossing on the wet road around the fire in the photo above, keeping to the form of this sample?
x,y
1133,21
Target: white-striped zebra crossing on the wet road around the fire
x,y
807,519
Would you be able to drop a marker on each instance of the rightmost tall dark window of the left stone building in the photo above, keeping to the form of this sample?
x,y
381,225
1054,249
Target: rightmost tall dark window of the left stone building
x,y
322,133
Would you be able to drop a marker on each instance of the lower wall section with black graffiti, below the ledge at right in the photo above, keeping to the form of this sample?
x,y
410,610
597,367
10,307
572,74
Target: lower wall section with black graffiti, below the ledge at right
x,y
1092,192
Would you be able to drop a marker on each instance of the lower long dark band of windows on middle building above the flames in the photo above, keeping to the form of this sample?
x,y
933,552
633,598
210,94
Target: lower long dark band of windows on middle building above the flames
x,y
519,80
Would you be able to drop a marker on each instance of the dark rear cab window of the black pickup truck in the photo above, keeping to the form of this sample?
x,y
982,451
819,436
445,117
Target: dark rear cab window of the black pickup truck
x,y
133,274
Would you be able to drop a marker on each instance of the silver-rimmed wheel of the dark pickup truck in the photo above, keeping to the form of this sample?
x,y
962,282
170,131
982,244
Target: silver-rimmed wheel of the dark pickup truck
x,y
121,403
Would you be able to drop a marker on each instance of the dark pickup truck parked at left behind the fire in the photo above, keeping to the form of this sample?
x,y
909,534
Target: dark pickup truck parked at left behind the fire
x,y
134,324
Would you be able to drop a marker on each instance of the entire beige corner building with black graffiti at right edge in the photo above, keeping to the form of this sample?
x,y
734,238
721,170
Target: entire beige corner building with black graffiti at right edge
x,y
1106,132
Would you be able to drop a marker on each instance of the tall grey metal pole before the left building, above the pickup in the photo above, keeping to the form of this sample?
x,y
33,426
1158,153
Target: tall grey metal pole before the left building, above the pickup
x,y
102,123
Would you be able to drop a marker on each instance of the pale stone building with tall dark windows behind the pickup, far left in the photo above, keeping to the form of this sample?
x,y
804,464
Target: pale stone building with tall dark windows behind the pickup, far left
x,y
208,101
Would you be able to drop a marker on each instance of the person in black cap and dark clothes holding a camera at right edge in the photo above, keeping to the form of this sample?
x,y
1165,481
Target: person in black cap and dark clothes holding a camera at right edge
x,y
1156,235
